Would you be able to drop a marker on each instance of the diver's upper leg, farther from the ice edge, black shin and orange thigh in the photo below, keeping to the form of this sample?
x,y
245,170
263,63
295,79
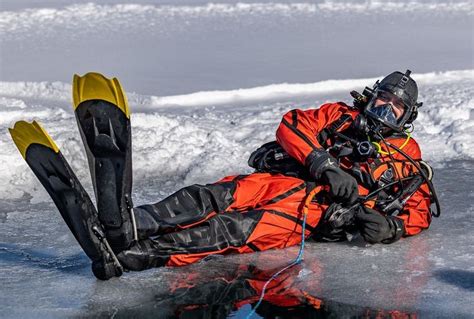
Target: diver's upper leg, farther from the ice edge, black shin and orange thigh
x,y
194,204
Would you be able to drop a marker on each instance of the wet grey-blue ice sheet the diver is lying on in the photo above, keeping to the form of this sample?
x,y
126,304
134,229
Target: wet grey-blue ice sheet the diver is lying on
x,y
431,275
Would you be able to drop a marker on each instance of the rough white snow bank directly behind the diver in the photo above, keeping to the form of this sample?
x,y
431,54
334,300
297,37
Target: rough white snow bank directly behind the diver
x,y
200,137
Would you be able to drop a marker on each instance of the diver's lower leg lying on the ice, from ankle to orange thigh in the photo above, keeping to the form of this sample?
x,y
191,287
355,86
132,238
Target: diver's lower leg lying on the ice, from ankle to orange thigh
x,y
230,232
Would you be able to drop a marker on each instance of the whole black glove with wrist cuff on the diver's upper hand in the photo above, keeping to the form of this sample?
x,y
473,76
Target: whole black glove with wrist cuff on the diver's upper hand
x,y
323,167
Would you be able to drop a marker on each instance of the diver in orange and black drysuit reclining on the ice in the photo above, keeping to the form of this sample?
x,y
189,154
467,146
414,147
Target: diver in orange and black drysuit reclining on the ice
x,y
356,167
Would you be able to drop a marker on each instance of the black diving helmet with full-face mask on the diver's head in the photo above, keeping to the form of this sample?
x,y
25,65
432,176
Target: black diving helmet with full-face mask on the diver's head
x,y
404,90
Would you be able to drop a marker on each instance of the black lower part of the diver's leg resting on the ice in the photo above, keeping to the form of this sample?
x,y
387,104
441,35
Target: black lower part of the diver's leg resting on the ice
x,y
220,234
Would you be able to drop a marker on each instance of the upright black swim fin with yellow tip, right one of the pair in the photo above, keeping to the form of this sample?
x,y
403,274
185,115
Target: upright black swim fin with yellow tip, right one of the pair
x,y
103,117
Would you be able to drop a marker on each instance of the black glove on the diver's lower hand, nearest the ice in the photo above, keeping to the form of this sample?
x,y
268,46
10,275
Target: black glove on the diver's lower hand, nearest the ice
x,y
377,228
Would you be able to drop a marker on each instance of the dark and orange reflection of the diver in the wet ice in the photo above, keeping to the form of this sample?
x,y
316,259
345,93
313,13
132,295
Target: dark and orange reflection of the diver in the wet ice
x,y
235,291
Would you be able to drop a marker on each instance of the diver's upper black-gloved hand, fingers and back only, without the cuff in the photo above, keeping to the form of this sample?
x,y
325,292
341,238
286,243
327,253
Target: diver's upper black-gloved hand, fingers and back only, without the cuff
x,y
343,187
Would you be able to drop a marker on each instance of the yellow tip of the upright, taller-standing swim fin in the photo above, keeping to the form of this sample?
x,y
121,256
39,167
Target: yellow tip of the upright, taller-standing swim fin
x,y
95,86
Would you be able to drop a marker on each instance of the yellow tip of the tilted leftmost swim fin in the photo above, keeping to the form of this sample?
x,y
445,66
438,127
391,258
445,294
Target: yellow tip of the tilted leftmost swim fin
x,y
24,134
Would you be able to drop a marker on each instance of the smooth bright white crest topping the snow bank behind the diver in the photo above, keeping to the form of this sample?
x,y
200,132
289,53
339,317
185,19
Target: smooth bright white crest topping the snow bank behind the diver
x,y
61,92
